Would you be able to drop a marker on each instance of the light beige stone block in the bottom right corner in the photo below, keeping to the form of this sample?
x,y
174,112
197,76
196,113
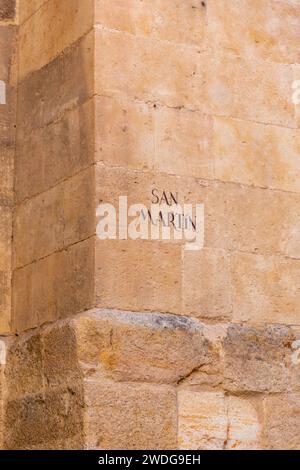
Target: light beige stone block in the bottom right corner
x,y
282,419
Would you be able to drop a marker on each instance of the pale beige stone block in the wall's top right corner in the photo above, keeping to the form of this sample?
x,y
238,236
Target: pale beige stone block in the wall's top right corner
x,y
269,32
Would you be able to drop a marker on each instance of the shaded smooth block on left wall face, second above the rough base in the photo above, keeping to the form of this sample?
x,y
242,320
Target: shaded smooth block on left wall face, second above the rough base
x,y
55,219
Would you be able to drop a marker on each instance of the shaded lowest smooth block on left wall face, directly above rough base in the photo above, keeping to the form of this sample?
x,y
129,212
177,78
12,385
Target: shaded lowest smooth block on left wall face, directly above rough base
x,y
54,287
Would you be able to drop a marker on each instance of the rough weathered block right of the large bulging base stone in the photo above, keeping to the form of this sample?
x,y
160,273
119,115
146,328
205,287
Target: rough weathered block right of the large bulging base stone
x,y
256,360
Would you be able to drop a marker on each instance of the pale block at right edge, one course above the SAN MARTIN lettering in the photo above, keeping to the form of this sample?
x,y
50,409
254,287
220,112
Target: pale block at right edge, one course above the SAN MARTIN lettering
x,y
255,154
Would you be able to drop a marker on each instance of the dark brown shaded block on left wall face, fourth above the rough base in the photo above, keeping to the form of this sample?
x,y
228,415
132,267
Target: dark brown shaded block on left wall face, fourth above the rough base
x,y
60,86
